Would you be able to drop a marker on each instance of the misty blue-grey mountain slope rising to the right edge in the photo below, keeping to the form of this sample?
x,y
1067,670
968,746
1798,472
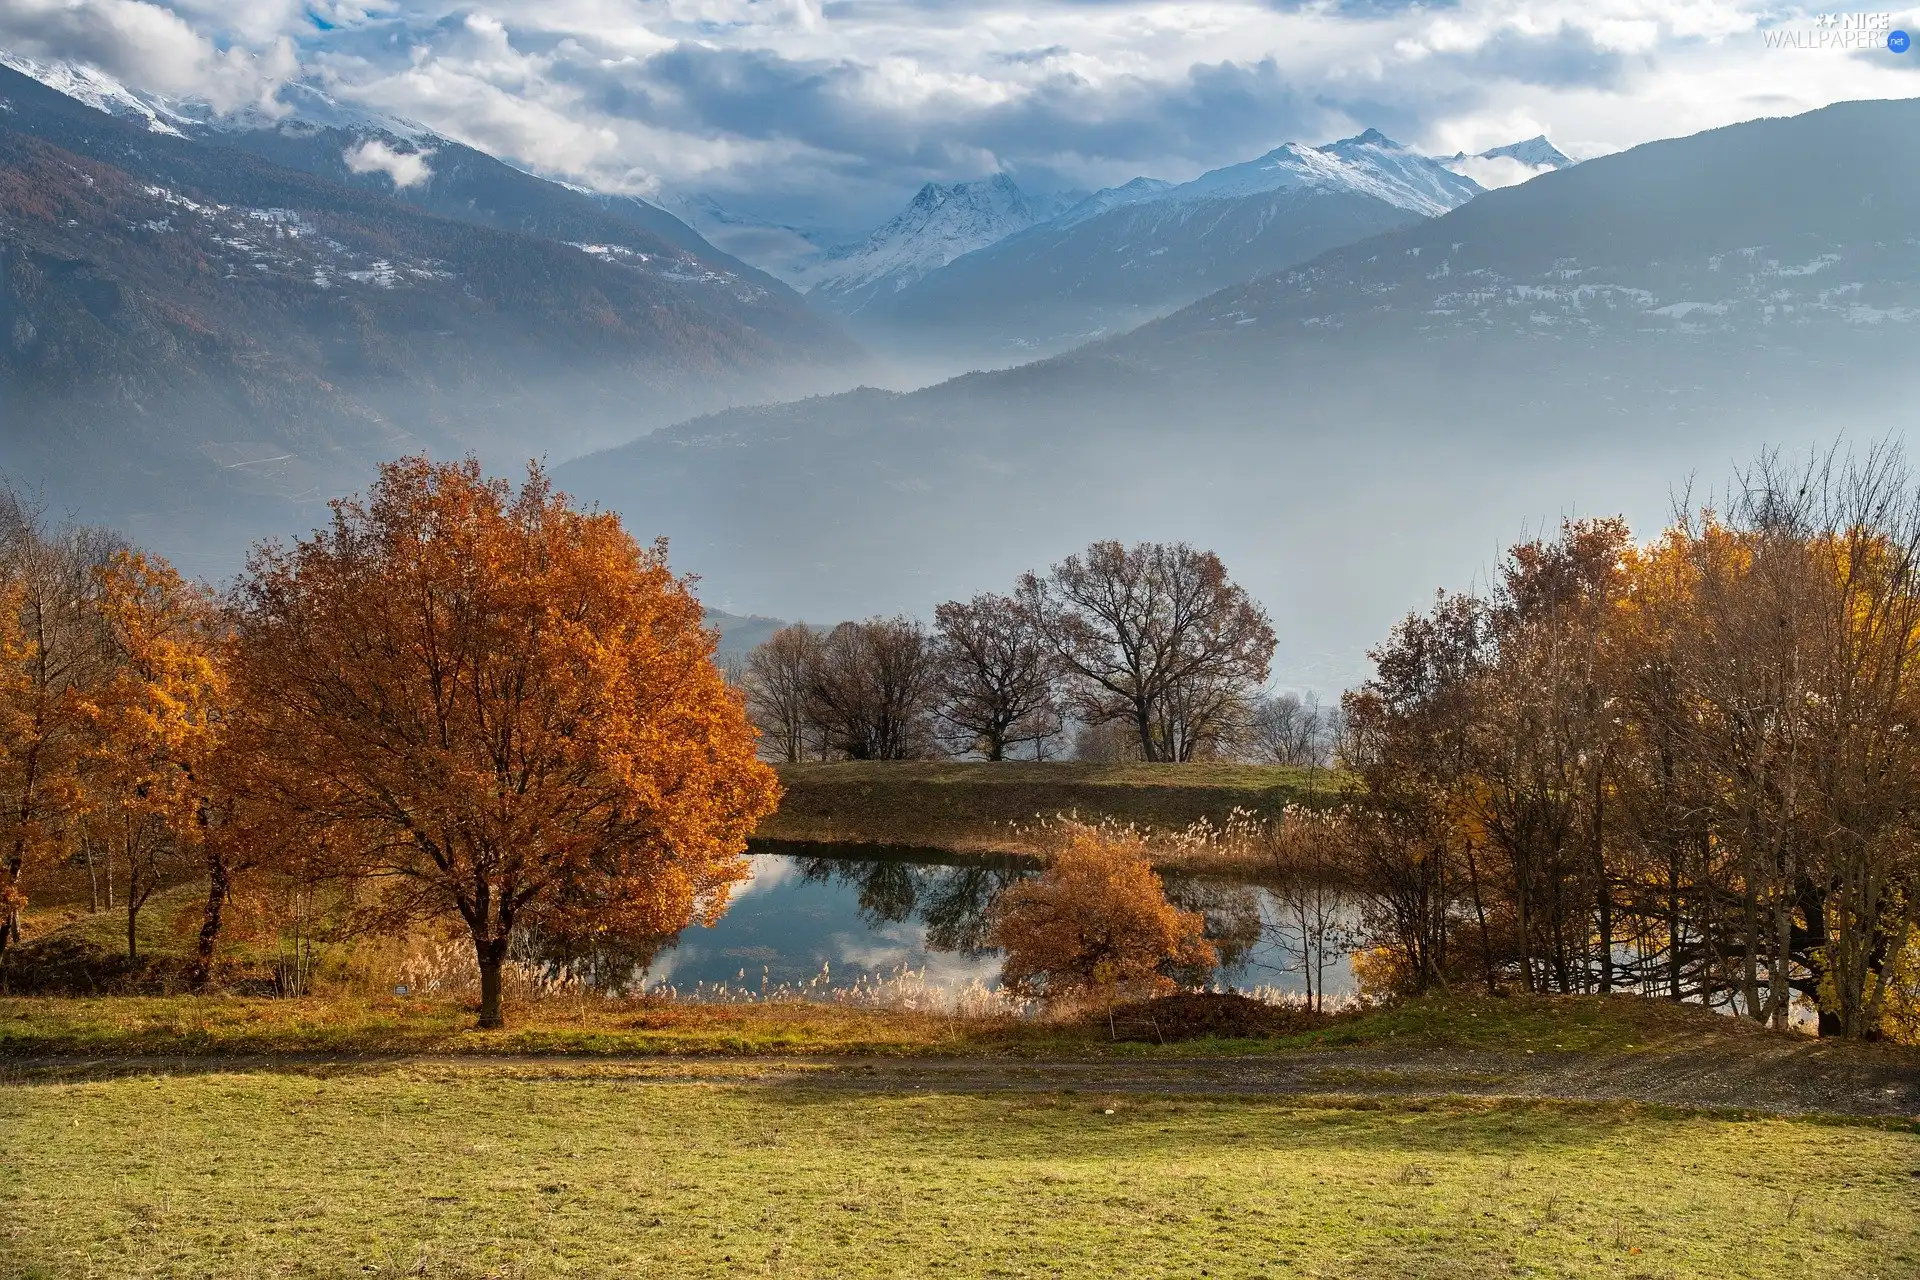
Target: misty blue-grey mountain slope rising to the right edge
x,y
1358,429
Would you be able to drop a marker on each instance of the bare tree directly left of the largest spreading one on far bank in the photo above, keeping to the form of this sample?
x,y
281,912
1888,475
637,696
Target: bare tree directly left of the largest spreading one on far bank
x,y
997,676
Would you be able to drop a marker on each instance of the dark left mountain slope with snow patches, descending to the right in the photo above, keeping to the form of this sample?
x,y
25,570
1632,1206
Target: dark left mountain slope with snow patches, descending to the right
x,y
210,331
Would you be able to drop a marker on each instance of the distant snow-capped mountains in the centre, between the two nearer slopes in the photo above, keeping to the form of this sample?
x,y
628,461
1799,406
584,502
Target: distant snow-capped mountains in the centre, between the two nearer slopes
x,y
986,273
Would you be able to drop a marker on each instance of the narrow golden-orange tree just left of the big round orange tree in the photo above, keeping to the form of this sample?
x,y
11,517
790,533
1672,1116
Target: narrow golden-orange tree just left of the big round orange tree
x,y
158,717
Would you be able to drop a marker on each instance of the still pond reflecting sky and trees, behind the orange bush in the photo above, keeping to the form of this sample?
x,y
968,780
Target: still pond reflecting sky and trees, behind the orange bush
x,y
844,916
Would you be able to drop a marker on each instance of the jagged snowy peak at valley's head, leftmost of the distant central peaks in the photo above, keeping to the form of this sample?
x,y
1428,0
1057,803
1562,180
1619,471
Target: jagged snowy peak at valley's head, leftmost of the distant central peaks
x,y
942,224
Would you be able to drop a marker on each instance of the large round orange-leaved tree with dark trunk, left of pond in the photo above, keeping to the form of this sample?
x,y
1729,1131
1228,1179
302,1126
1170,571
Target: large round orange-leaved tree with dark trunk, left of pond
x,y
502,711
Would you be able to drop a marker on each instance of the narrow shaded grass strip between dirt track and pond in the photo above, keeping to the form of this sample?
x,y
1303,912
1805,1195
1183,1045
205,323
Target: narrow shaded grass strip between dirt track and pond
x,y
101,1026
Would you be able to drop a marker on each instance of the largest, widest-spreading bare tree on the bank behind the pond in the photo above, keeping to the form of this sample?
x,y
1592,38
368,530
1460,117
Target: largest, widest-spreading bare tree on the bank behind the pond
x,y
1159,638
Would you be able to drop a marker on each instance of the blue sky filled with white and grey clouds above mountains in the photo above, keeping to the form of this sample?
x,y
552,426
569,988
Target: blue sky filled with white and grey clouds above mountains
x,y
832,112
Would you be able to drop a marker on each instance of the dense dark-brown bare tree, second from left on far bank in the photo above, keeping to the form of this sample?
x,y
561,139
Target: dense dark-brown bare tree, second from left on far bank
x,y
873,690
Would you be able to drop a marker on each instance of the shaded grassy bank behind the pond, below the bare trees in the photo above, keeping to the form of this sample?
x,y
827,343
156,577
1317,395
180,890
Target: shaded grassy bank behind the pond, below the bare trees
x,y
974,807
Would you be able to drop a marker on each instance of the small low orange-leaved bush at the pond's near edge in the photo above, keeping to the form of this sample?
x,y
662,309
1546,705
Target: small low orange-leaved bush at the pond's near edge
x,y
1095,922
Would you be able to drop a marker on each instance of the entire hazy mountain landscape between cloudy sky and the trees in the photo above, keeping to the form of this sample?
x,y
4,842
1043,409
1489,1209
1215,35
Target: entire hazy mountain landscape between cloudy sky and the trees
x,y
1349,369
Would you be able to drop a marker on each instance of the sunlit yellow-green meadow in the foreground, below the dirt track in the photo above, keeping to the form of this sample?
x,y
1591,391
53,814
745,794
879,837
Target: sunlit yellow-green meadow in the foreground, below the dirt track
x,y
489,1172
